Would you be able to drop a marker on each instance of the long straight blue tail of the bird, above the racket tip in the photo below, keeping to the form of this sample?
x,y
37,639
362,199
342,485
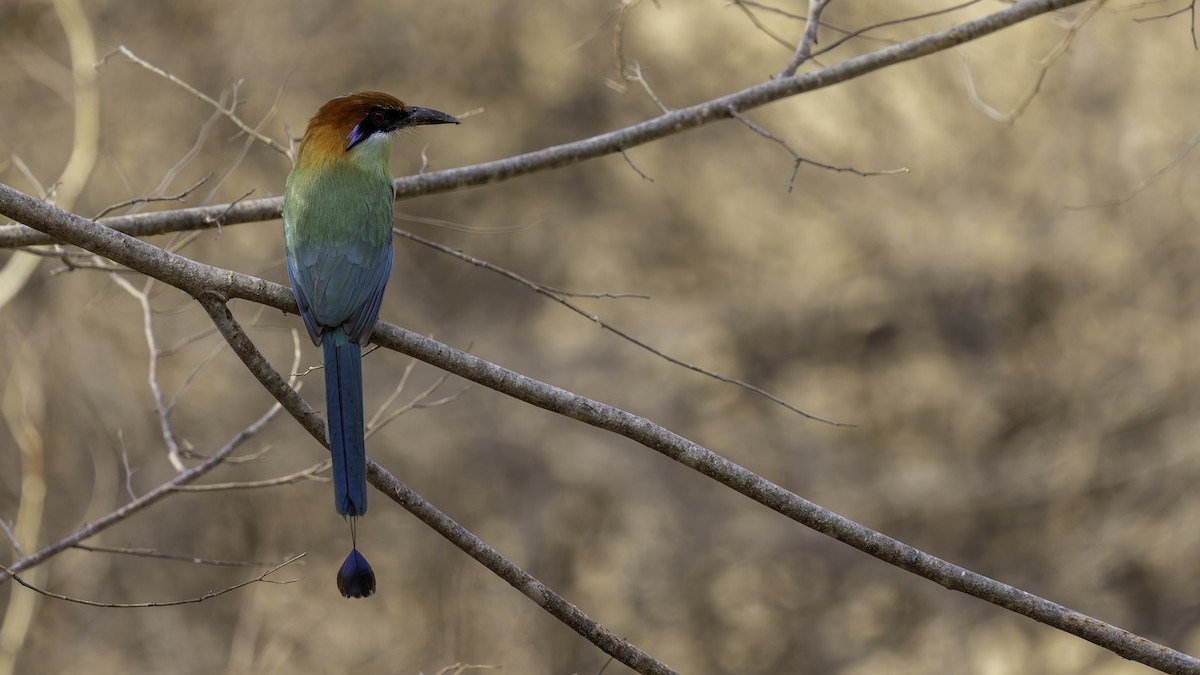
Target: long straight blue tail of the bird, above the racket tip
x,y
344,411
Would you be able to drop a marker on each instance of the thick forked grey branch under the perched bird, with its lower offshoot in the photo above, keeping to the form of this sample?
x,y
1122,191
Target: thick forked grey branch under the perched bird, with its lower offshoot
x,y
212,286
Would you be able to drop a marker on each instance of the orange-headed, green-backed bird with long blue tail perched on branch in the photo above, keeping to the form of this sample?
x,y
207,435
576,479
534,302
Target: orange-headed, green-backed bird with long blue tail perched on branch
x,y
338,216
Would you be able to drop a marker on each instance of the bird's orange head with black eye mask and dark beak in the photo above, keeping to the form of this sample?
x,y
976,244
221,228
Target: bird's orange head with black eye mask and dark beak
x,y
344,123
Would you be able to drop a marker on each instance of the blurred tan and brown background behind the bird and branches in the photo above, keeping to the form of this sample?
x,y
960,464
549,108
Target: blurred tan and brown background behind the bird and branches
x,y
1023,375
